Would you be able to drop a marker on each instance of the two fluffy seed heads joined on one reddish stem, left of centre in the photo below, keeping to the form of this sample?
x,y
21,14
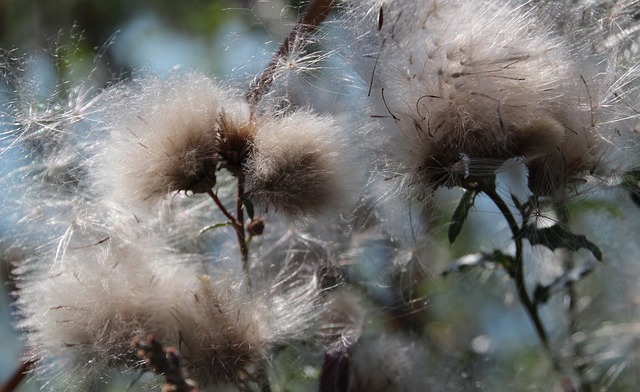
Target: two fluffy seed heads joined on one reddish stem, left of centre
x,y
176,135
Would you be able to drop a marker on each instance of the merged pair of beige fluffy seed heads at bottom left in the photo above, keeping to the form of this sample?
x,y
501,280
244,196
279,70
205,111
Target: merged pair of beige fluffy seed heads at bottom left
x,y
93,292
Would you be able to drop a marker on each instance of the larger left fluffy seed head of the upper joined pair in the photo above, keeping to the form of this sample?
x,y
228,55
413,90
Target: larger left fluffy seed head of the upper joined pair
x,y
170,136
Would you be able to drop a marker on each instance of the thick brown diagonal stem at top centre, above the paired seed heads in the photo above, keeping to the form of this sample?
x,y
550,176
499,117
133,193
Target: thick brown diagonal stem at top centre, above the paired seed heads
x,y
316,13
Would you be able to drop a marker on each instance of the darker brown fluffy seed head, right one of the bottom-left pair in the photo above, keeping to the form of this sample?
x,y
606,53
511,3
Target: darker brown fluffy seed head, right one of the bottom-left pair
x,y
227,333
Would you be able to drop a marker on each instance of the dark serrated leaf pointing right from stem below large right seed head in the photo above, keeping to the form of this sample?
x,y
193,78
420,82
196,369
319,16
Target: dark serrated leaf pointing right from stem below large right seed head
x,y
557,237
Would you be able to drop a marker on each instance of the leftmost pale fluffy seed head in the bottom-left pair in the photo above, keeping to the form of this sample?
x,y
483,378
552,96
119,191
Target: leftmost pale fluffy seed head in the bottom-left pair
x,y
90,294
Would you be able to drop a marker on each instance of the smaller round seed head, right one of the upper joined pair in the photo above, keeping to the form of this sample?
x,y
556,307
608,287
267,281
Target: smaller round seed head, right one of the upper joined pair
x,y
298,164
